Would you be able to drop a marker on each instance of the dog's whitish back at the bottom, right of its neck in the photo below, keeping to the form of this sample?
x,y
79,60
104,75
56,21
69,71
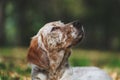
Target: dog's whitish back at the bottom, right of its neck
x,y
85,73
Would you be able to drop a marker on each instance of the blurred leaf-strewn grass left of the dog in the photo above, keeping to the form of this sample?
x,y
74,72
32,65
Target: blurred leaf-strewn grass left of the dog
x,y
13,64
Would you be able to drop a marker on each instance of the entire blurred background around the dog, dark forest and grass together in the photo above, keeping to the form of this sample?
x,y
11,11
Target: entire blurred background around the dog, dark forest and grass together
x,y
21,19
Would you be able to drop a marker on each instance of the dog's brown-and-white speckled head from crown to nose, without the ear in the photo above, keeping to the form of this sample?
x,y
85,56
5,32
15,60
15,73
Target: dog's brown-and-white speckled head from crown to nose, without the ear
x,y
57,35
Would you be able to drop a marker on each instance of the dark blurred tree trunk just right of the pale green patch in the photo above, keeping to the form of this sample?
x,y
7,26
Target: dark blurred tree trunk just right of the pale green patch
x,y
23,25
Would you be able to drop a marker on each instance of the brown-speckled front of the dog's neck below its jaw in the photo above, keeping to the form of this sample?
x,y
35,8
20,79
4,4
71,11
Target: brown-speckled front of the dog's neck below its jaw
x,y
57,69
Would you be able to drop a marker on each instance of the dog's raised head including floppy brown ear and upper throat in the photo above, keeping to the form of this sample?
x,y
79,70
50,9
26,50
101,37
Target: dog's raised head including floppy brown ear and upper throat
x,y
47,48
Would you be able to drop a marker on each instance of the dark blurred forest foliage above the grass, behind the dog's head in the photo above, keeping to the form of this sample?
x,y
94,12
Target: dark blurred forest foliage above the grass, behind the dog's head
x,y
21,19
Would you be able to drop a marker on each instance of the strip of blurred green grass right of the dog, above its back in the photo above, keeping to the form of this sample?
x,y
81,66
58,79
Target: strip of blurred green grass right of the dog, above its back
x,y
96,58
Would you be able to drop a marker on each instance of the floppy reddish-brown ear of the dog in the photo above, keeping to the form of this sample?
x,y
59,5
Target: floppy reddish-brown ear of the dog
x,y
36,55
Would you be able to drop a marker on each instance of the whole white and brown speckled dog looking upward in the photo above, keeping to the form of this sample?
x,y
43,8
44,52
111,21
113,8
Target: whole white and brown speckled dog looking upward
x,y
49,52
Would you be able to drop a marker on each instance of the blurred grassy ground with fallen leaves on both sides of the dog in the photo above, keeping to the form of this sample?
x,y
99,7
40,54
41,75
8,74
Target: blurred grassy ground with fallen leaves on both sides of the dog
x,y
13,64
